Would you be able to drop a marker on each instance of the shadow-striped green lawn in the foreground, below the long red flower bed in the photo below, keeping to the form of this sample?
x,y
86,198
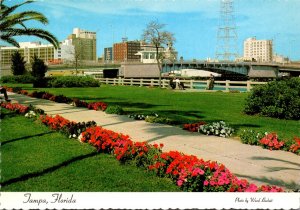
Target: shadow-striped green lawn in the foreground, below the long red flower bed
x,y
37,159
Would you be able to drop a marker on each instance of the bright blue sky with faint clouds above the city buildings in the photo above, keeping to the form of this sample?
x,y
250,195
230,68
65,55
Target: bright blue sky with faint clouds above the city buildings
x,y
194,23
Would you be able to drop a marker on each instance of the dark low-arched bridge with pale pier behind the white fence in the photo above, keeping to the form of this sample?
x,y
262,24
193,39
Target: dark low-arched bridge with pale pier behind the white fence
x,y
242,69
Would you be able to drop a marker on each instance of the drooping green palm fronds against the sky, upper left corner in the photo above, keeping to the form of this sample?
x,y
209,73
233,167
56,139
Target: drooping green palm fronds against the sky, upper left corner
x,y
13,24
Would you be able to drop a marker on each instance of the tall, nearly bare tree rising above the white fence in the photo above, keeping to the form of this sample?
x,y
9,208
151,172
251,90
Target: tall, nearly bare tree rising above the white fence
x,y
155,35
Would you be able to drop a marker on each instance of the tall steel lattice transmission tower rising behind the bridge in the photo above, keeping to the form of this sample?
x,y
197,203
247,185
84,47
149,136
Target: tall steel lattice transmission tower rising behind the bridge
x,y
227,38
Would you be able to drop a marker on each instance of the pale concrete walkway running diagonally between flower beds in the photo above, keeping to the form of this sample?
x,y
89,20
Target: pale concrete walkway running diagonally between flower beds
x,y
257,165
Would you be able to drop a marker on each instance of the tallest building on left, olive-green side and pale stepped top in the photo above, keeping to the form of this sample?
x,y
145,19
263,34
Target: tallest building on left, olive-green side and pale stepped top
x,y
85,44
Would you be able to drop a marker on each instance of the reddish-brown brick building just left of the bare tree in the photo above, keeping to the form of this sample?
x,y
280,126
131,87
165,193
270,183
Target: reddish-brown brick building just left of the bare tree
x,y
126,51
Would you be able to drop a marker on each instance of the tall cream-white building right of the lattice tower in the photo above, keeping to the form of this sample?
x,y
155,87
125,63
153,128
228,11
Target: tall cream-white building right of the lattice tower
x,y
258,50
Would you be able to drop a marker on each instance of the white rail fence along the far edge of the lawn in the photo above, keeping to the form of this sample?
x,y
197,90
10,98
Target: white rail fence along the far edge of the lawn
x,y
242,86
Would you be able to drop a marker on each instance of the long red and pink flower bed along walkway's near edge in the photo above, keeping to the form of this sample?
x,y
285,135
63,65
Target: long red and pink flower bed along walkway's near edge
x,y
187,171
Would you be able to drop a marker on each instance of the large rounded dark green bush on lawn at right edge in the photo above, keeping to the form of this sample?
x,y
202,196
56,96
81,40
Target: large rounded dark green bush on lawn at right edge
x,y
278,99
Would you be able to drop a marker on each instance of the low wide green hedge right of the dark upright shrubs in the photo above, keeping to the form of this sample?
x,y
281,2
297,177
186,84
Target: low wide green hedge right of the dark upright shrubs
x,y
73,81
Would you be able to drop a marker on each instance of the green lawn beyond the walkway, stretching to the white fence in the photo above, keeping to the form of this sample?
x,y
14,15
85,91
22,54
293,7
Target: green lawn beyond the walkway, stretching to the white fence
x,y
182,106
